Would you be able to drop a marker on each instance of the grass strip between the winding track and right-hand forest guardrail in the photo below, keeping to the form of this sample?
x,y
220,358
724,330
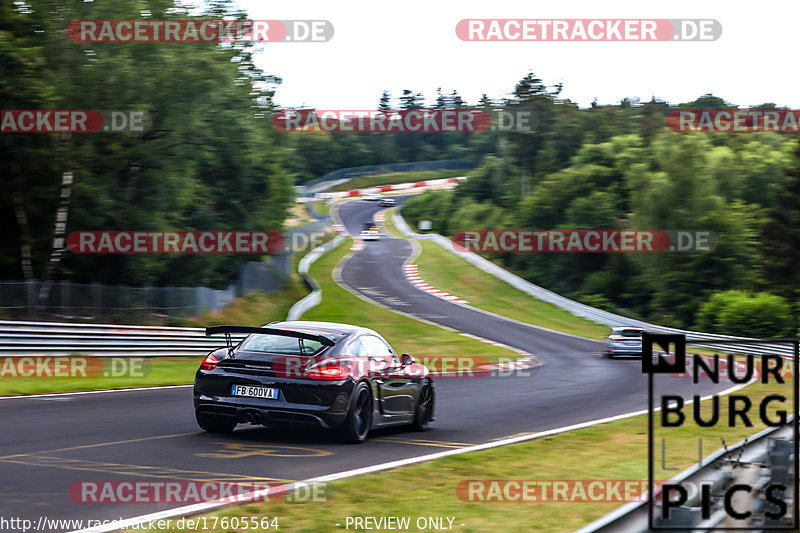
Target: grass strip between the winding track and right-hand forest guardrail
x,y
450,273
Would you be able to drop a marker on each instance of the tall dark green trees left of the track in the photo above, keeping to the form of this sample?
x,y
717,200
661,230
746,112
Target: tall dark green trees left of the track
x,y
207,161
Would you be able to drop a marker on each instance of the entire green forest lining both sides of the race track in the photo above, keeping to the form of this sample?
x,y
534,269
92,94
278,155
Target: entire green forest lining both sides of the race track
x,y
211,159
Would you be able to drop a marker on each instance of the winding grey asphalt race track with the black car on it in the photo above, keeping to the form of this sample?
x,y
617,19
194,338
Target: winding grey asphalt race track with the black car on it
x,y
48,443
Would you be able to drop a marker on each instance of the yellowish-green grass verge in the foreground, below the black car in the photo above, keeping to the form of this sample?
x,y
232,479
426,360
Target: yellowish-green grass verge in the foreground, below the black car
x,y
611,451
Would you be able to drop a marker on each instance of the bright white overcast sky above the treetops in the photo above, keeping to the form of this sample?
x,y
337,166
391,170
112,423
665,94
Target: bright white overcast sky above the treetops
x,y
412,44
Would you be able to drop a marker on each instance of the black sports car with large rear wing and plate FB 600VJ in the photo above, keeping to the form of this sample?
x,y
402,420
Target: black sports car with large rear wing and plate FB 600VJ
x,y
330,375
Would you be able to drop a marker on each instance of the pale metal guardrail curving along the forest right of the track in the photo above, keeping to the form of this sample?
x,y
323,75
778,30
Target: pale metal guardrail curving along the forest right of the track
x,y
579,309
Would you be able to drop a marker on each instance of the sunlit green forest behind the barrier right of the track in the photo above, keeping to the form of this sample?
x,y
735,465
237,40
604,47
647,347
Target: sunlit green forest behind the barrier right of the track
x,y
620,168
